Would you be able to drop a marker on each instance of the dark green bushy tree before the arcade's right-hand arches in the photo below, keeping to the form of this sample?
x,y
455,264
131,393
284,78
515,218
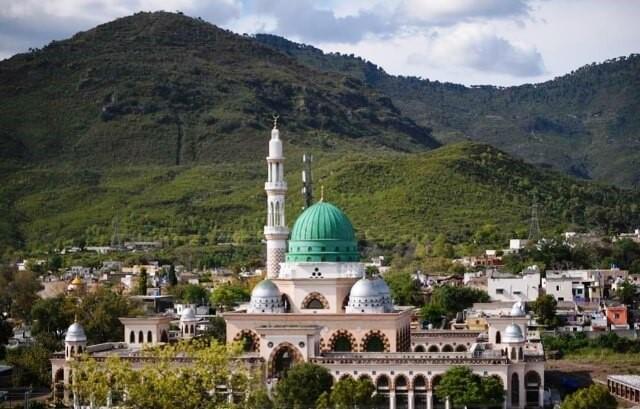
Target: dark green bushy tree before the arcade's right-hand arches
x,y
463,387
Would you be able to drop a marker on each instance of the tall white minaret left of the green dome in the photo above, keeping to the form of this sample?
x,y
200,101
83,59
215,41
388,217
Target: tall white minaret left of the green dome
x,y
275,231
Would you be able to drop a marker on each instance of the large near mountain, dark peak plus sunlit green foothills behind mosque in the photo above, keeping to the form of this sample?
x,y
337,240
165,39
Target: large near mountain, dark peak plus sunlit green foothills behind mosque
x,y
158,124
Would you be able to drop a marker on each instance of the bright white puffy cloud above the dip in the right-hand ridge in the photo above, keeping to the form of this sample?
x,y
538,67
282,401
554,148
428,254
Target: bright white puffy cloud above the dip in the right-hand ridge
x,y
478,47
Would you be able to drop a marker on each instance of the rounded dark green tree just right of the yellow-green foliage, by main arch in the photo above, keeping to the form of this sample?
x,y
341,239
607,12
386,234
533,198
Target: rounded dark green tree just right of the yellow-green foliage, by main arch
x,y
302,386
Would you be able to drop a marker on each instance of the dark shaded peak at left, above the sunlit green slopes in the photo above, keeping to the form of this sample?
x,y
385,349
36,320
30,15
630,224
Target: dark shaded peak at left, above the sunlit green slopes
x,y
163,88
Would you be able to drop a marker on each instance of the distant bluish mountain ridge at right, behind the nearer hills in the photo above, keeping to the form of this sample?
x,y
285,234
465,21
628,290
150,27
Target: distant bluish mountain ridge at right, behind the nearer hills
x,y
586,123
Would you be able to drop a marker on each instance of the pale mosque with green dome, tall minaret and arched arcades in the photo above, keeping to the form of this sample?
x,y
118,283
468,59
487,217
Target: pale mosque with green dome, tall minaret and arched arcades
x,y
318,305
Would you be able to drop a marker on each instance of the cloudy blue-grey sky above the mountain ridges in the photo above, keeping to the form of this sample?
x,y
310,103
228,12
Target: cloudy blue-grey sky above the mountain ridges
x,y
498,42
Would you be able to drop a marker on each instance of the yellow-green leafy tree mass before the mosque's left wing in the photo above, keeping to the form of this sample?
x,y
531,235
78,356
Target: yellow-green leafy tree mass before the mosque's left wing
x,y
161,383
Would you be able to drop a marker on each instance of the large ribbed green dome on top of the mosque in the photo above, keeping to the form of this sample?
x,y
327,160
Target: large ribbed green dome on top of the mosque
x,y
323,233
